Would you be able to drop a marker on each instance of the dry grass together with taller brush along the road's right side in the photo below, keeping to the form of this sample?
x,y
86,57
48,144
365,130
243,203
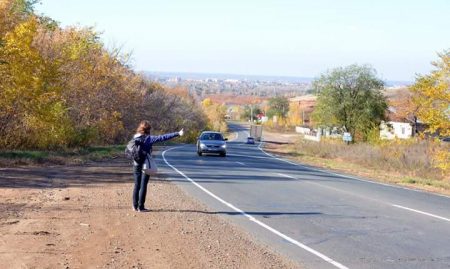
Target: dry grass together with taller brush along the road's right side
x,y
408,163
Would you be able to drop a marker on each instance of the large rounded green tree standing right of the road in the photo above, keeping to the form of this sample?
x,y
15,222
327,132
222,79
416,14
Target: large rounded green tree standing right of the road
x,y
350,97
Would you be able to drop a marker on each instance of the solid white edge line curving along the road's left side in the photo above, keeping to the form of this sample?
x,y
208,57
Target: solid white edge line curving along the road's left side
x,y
253,219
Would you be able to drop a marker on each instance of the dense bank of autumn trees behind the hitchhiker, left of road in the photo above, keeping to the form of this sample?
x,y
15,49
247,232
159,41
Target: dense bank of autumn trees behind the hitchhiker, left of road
x,y
62,88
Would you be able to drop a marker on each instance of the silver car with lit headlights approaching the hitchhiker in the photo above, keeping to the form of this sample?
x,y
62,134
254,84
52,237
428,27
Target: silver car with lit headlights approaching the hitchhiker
x,y
211,142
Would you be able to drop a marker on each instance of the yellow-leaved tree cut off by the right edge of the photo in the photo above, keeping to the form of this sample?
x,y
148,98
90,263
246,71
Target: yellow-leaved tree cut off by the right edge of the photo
x,y
432,96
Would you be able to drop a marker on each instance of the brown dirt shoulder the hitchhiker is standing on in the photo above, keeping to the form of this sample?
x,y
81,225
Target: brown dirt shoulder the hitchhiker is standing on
x,y
81,217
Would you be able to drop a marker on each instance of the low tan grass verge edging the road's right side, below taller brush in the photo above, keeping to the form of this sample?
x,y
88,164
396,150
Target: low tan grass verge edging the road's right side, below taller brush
x,y
327,156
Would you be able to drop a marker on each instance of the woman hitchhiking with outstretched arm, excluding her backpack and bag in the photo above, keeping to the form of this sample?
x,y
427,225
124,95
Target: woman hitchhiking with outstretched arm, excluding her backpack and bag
x,y
140,178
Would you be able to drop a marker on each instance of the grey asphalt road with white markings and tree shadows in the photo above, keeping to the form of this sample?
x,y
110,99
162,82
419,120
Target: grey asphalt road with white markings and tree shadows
x,y
318,218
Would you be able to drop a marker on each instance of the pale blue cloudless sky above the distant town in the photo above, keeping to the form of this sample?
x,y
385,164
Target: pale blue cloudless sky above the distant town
x,y
398,38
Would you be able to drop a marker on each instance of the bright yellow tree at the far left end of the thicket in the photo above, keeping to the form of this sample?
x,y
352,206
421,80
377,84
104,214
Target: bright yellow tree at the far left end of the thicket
x,y
30,95
